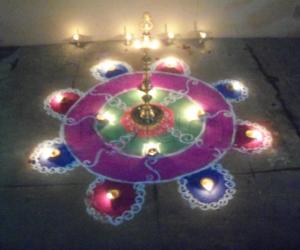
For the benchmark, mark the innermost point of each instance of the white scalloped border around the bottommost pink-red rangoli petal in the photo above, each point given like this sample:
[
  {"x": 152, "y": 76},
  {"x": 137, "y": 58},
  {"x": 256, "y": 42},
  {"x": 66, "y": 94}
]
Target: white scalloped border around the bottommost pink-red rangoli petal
[{"x": 127, "y": 215}]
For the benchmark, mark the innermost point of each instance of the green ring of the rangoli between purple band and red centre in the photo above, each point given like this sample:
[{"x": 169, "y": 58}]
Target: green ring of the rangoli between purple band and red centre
[{"x": 177, "y": 139}]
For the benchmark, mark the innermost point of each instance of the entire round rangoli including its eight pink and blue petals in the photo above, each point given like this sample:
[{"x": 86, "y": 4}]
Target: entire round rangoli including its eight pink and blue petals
[{"x": 103, "y": 131}]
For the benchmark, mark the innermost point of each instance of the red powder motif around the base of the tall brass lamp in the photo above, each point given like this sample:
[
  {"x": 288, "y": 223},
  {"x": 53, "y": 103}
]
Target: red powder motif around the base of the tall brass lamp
[{"x": 161, "y": 127}]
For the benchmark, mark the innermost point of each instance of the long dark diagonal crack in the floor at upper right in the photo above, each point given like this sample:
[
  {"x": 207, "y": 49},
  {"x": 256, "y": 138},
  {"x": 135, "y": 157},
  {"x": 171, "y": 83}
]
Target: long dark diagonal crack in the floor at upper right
[{"x": 273, "y": 80}]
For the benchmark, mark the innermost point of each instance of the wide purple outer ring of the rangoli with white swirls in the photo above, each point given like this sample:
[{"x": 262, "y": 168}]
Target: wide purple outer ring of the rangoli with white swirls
[{"x": 101, "y": 159}]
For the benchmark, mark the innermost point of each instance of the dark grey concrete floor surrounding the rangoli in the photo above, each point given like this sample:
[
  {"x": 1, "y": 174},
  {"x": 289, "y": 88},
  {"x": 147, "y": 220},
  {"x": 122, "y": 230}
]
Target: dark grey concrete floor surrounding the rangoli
[{"x": 47, "y": 212}]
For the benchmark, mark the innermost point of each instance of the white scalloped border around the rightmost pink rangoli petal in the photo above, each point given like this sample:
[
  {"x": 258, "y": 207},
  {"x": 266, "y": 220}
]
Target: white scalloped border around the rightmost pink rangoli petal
[{"x": 267, "y": 138}]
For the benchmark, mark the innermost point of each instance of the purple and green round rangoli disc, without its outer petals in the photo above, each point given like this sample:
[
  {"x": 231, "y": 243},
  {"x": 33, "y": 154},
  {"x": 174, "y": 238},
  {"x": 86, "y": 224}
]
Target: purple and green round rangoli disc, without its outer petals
[{"x": 186, "y": 145}]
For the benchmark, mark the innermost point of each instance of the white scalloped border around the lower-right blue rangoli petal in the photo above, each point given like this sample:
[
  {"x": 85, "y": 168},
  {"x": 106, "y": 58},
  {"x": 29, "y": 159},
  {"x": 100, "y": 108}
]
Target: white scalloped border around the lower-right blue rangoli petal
[{"x": 223, "y": 201}]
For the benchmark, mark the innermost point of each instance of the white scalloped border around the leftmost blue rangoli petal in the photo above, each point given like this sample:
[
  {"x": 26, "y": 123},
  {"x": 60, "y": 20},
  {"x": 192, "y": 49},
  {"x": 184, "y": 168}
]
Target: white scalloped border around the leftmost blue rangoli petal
[{"x": 46, "y": 170}]
